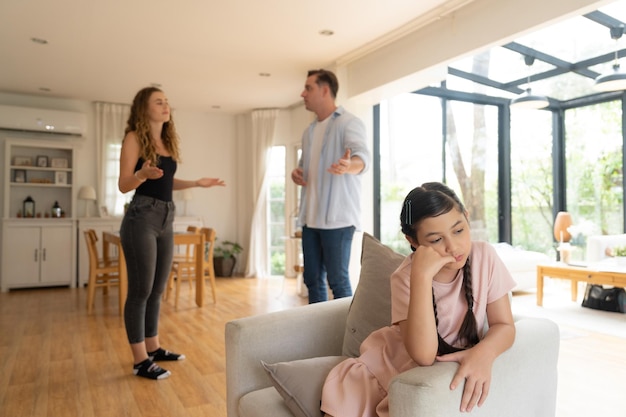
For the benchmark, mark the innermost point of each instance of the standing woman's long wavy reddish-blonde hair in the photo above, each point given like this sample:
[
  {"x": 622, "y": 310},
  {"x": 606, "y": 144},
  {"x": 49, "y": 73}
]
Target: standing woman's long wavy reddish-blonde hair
[{"x": 139, "y": 122}]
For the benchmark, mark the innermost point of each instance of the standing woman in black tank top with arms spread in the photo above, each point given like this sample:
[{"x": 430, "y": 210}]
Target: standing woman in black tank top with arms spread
[{"x": 148, "y": 161}]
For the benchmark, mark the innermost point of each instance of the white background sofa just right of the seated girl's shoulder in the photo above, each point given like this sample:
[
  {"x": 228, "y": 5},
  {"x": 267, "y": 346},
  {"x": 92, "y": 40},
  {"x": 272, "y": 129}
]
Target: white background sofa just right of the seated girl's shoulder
[{"x": 522, "y": 264}]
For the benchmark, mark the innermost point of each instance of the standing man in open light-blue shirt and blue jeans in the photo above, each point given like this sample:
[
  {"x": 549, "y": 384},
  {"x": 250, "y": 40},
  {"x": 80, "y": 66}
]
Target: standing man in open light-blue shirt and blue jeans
[{"x": 334, "y": 154}]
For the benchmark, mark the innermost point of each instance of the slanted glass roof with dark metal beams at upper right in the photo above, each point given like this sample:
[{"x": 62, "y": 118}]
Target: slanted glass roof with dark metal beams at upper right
[{"x": 558, "y": 46}]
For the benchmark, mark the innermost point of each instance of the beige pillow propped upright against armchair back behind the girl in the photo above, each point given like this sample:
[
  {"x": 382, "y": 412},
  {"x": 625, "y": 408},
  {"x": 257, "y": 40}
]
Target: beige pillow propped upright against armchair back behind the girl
[{"x": 371, "y": 305}]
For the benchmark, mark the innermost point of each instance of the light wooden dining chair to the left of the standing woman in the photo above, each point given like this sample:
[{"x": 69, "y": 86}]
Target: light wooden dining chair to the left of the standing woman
[{"x": 103, "y": 273}]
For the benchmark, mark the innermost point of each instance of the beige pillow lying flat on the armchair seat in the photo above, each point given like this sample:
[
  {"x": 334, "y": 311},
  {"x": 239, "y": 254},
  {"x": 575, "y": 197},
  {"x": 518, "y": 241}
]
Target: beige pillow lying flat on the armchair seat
[{"x": 300, "y": 382}]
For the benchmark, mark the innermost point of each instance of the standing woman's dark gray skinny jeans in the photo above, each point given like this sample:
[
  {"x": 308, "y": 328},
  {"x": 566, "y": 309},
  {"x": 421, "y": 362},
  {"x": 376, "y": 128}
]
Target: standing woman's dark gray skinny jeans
[{"x": 147, "y": 237}]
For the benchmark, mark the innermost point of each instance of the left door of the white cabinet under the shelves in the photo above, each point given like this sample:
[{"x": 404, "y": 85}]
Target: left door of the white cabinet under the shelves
[{"x": 20, "y": 258}]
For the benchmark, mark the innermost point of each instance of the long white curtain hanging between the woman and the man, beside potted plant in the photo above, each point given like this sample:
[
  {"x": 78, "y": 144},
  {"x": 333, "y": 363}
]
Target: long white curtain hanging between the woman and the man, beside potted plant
[{"x": 263, "y": 130}]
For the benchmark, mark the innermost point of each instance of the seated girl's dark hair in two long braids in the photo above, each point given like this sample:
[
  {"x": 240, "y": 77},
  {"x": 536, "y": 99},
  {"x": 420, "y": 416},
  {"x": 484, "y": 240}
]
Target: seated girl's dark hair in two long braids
[{"x": 433, "y": 199}]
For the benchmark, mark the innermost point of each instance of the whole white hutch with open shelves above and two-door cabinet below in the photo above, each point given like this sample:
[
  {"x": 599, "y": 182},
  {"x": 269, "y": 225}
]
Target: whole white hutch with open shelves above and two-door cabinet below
[{"x": 39, "y": 250}]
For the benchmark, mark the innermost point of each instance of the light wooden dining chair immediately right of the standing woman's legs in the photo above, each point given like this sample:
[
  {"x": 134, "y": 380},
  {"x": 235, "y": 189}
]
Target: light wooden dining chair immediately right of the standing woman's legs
[{"x": 184, "y": 268}]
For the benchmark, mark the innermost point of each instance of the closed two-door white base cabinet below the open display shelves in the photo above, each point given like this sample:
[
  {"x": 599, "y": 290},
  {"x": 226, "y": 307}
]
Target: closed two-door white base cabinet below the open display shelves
[{"x": 37, "y": 254}]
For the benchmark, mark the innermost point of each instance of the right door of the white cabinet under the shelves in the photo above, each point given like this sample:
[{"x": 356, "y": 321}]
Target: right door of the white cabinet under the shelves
[{"x": 56, "y": 259}]
